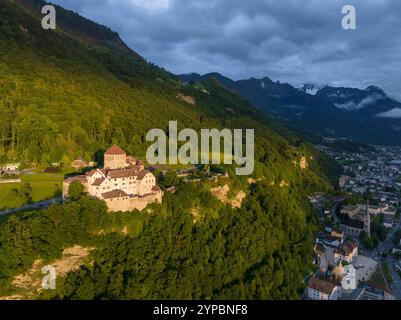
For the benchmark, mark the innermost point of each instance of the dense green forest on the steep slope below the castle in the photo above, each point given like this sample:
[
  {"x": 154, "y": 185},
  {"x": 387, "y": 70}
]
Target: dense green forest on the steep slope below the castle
[{"x": 261, "y": 251}]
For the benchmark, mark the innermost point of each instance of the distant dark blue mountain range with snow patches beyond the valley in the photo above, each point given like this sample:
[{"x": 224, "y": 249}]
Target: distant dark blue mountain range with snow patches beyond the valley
[{"x": 366, "y": 115}]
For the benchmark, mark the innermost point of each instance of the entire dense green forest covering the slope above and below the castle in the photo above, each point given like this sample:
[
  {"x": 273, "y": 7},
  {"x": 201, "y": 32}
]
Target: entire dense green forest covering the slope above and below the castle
[{"x": 77, "y": 90}]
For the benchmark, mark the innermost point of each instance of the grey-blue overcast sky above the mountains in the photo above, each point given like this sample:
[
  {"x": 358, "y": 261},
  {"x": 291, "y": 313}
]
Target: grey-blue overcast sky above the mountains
[{"x": 295, "y": 41}]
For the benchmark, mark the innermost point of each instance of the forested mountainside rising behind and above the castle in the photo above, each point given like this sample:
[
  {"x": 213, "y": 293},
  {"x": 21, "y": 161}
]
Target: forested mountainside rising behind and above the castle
[{"x": 62, "y": 96}]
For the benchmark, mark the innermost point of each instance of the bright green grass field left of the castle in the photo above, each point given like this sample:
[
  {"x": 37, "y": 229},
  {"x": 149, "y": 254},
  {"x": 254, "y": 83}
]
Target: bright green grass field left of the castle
[{"x": 44, "y": 186}]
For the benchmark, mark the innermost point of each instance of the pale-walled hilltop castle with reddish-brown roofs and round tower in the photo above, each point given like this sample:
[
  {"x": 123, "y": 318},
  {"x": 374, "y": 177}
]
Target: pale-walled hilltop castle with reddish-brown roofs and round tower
[{"x": 123, "y": 183}]
